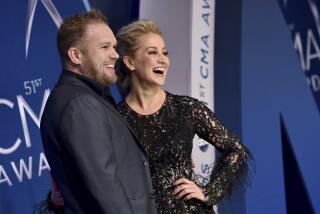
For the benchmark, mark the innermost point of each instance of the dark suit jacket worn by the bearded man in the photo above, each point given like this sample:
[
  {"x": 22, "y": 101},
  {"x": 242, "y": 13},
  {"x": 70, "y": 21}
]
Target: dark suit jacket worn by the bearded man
[{"x": 94, "y": 155}]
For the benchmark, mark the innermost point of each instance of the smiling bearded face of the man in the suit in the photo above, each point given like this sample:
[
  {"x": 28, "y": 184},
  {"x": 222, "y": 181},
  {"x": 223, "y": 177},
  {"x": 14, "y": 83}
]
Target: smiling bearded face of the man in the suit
[{"x": 98, "y": 54}]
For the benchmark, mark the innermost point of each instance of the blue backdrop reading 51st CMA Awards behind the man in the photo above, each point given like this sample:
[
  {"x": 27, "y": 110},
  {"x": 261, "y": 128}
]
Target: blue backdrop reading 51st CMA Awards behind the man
[{"x": 30, "y": 67}]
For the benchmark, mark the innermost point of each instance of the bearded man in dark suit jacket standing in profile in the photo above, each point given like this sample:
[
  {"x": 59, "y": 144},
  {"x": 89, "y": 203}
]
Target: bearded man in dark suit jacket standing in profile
[{"x": 95, "y": 157}]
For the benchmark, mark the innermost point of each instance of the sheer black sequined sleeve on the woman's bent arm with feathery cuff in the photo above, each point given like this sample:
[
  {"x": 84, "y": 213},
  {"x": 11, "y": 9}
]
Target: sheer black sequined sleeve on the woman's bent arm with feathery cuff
[{"x": 232, "y": 166}]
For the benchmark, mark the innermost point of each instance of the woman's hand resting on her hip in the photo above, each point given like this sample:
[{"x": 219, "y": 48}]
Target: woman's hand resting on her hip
[{"x": 186, "y": 189}]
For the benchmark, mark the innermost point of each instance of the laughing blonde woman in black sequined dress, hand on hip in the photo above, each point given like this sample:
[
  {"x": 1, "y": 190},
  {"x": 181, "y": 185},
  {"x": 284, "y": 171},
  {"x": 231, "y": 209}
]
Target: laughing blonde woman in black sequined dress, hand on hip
[{"x": 167, "y": 124}]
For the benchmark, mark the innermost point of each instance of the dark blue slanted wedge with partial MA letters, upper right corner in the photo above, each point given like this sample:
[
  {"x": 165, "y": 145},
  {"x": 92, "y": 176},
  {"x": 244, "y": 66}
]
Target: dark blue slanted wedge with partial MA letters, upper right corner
[{"x": 303, "y": 20}]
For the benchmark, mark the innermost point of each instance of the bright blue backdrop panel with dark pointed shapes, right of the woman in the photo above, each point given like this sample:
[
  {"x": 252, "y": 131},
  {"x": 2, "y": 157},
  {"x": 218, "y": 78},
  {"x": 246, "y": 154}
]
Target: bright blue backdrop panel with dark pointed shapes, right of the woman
[{"x": 280, "y": 104}]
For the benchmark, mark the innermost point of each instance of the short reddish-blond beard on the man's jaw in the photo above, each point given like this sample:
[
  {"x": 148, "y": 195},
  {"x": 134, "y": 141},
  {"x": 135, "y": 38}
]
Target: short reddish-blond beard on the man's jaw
[{"x": 92, "y": 72}]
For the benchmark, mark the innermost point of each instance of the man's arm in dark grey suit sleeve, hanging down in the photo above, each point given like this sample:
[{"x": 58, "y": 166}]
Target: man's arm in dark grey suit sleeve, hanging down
[{"x": 90, "y": 157}]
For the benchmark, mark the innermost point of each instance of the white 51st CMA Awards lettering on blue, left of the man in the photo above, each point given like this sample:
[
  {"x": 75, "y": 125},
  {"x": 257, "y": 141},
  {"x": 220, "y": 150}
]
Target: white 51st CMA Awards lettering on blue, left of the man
[{"x": 20, "y": 159}]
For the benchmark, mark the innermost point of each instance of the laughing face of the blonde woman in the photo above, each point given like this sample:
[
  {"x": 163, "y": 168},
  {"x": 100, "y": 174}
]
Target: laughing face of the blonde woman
[{"x": 151, "y": 61}]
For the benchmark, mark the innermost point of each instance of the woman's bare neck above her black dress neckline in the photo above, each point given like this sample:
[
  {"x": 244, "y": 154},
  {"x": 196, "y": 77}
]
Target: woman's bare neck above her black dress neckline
[{"x": 146, "y": 101}]
